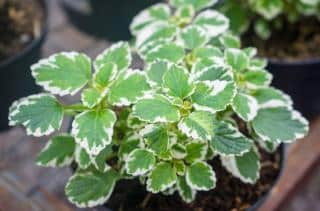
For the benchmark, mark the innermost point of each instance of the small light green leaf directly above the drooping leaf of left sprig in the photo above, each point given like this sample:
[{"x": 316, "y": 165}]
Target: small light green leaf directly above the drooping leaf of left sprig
[{"x": 90, "y": 97}]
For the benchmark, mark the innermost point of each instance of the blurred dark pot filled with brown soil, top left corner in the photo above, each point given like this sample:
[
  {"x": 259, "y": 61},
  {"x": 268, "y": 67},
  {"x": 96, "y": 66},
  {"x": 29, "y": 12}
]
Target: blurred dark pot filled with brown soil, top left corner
[{"x": 23, "y": 29}]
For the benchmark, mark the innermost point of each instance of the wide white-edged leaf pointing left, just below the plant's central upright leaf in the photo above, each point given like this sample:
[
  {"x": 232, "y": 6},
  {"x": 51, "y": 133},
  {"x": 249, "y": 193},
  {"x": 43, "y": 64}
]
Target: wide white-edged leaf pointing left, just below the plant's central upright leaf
[{"x": 156, "y": 108}]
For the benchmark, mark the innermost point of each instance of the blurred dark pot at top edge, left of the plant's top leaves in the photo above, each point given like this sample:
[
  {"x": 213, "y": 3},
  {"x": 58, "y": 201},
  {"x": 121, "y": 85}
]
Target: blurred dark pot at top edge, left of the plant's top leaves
[{"x": 105, "y": 19}]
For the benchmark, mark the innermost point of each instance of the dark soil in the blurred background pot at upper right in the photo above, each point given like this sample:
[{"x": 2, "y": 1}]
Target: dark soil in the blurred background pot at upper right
[{"x": 295, "y": 42}]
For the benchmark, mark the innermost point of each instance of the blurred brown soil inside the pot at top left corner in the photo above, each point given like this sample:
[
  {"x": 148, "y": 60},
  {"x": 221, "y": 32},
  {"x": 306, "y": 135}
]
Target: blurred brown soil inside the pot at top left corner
[{"x": 21, "y": 22}]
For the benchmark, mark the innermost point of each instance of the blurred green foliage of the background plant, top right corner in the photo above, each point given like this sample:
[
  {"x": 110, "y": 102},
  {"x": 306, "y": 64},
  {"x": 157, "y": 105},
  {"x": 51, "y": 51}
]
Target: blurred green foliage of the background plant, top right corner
[{"x": 267, "y": 16}]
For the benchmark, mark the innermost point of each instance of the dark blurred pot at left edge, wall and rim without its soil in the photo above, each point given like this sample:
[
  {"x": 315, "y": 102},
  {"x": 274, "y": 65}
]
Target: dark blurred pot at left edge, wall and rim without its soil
[{"x": 16, "y": 80}]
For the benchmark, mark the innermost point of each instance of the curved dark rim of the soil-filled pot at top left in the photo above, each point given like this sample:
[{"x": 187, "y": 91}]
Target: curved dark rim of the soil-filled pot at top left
[{"x": 34, "y": 42}]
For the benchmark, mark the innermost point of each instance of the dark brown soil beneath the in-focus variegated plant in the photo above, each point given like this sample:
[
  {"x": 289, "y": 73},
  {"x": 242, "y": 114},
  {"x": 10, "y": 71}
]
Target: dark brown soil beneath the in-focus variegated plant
[{"x": 230, "y": 193}]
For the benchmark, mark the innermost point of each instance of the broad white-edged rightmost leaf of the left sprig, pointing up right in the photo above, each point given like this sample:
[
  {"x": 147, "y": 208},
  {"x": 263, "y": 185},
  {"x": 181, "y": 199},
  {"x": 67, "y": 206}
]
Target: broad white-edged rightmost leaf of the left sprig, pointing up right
[{"x": 130, "y": 86}]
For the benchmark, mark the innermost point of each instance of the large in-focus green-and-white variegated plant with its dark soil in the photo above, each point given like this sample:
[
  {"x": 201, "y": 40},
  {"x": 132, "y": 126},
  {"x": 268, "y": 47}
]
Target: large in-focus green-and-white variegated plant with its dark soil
[{"x": 188, "y": 132}]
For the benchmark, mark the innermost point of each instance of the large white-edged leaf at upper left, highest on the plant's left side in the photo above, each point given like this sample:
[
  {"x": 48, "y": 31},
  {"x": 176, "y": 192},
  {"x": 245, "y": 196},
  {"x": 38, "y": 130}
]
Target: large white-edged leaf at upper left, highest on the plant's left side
[{"x": 63, "y": 73}]
